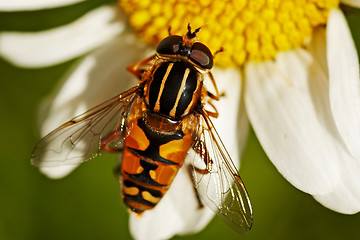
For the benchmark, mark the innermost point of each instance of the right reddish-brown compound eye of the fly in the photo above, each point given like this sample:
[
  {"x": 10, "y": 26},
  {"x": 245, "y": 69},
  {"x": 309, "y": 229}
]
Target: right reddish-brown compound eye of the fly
[{"x": 201, "y": 55}]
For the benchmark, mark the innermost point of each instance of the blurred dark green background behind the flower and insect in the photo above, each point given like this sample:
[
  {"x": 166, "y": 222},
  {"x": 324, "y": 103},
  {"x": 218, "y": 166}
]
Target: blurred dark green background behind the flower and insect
[{"x": 87, "y": 204}]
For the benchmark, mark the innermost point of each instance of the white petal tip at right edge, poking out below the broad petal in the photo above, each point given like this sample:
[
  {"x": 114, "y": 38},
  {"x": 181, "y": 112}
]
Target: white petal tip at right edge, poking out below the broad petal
[{"x": 345, "y": 198}]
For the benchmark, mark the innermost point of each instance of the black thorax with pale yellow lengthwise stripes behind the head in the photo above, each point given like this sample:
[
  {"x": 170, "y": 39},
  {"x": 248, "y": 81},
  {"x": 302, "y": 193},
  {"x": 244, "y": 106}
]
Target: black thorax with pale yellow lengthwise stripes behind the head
[{"x": 174, "y": 90}]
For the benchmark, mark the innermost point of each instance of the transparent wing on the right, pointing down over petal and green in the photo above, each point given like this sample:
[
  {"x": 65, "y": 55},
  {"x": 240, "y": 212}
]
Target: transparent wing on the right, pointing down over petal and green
[{"x": 217, "y": 181}]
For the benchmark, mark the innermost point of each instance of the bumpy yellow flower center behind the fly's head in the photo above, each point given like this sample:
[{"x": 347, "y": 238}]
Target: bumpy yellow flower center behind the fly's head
[{"x": 247, "y": 30}]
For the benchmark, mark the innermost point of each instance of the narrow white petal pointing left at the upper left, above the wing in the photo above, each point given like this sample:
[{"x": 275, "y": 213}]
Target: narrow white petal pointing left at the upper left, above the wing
[{"x": 63, "y": 43}]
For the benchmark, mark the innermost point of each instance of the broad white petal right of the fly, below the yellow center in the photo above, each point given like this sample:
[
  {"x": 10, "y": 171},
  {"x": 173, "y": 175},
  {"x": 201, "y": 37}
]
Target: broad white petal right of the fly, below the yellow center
[{"x": 288, "y": 107}]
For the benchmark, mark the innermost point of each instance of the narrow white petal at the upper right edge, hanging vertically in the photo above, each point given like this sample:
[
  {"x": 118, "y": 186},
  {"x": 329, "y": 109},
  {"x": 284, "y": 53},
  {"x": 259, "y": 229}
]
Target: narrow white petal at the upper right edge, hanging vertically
[{"x": 344, "y": 80}]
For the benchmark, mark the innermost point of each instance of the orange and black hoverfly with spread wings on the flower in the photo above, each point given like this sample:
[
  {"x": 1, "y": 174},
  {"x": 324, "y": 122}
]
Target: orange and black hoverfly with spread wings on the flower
[{"x": 154, "y": 125}]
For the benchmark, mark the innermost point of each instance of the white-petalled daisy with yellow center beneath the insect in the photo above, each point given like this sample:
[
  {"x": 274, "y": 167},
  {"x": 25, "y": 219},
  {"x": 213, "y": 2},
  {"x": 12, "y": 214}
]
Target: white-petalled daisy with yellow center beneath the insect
[{"x": 290, "y": 68}]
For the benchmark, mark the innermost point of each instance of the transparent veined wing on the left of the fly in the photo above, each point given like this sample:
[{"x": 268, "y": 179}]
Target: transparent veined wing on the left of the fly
[{"x": 82, "y": 138}]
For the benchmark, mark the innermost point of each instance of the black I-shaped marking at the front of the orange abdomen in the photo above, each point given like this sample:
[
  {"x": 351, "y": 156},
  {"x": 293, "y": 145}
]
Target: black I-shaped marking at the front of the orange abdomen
[{"x": 156, "y": 139}]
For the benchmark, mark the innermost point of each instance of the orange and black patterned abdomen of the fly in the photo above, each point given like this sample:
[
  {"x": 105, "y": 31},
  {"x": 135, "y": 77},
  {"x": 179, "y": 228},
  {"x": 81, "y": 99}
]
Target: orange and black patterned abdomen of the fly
[{"x": 151, "y": 159}]
